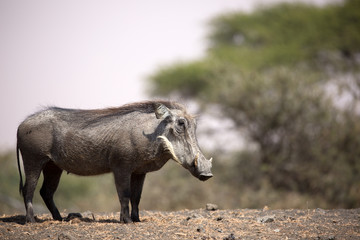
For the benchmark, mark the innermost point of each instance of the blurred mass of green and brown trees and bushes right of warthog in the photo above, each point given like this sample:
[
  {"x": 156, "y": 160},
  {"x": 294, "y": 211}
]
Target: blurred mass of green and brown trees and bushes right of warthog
[{"x": 281, "y": 74}]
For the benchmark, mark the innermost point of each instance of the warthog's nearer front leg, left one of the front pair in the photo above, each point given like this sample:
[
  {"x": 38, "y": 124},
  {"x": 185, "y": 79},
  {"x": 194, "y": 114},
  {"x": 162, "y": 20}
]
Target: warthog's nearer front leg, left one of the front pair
[{"x": 122, "y": 182}]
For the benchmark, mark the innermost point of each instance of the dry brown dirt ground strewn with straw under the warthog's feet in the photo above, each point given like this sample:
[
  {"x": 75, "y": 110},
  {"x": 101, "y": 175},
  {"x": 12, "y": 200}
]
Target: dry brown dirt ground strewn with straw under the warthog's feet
[{"x": 192, "y": 224}]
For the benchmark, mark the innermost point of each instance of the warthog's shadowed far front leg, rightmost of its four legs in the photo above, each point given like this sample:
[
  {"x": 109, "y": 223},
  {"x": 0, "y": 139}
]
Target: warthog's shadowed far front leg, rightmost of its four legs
[{"x": 137, "y": 182}]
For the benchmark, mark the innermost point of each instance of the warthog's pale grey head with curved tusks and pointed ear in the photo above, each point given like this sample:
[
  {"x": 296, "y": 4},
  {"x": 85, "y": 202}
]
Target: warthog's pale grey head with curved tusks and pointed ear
[{"x": 179, "y": 140}]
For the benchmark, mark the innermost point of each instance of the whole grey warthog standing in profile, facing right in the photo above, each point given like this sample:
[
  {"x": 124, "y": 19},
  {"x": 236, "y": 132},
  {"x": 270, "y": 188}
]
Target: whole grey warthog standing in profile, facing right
[{"x": 128, "y": 141}]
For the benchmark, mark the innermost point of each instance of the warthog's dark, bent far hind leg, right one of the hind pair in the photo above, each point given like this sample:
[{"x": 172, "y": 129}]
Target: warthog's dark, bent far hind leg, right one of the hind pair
[{"x": 52, "y": 175}]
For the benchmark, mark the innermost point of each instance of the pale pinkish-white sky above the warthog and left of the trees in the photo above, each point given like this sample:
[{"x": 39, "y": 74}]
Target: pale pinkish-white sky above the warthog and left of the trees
[{"x": 94, "y": 54}]
